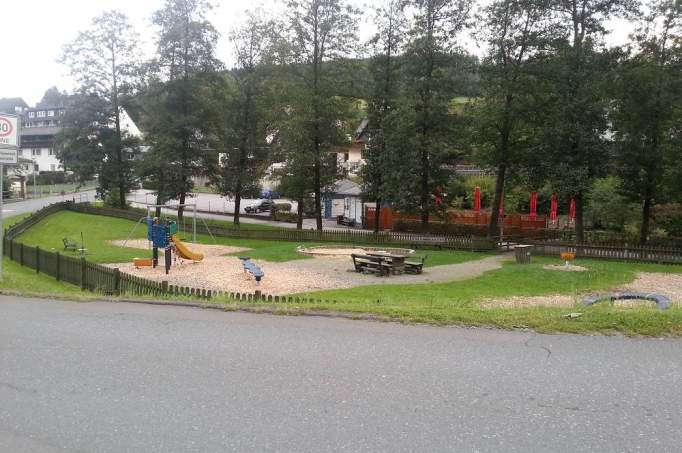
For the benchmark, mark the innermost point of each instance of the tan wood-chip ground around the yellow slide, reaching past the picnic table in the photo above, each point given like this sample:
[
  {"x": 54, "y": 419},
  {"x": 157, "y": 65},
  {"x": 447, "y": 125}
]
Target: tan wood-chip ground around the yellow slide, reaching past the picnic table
[{"x": 226, "y": 273}]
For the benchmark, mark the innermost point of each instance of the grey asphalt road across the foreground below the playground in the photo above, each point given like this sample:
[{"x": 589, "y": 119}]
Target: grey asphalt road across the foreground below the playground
[{"x": 104, "y": 377}]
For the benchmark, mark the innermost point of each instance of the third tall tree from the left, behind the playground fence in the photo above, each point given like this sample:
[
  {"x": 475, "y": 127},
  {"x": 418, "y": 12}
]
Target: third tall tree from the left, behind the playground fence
[{"x": 242, "y": 123}]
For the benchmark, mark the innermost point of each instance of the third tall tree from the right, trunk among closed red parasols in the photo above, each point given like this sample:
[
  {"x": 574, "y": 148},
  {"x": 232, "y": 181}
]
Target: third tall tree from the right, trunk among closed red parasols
[{"x": 517, "y": 31}]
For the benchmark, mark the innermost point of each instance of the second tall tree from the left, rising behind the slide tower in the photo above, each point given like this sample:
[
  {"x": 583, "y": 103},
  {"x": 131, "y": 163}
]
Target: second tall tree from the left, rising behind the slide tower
[{"x": 173, "y": 104}]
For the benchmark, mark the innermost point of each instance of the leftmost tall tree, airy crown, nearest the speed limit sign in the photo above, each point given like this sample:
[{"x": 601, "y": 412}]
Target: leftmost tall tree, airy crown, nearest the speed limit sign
[{"x": 102, "y": 60}]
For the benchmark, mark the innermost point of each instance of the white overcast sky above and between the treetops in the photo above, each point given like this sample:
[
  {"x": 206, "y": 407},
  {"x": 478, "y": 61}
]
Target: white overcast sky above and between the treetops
[{"x": 34, "y": 32}]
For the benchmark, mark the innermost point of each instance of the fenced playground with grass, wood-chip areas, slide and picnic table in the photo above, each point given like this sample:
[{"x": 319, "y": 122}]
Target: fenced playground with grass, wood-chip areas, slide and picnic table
[{"x": 454, "y": 287}]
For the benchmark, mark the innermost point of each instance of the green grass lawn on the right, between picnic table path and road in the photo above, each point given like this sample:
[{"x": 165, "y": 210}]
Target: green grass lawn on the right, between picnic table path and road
[{"x": 458, "y": 302}]
